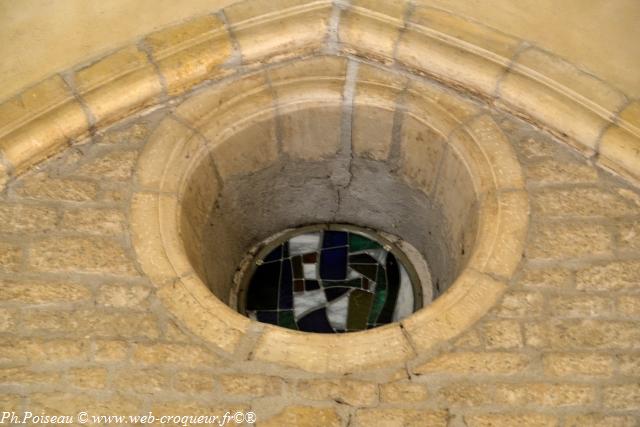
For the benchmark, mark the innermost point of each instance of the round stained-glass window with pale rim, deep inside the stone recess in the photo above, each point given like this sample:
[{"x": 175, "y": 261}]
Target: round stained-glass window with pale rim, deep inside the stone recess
[{"x": 330, "y": 279}]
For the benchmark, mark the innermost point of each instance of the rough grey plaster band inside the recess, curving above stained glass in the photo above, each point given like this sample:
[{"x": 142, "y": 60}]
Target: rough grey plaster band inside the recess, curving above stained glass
[{"x": 293, "y": 193}]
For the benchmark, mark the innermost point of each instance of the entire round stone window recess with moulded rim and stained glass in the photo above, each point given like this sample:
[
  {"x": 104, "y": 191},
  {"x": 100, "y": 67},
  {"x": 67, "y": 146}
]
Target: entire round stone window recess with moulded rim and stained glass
[{"x": 240, "y": 216}]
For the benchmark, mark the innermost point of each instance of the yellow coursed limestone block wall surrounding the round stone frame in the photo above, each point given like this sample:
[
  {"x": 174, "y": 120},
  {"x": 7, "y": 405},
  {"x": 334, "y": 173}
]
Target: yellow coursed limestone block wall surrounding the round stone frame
[{"x": 84, "y": 328}]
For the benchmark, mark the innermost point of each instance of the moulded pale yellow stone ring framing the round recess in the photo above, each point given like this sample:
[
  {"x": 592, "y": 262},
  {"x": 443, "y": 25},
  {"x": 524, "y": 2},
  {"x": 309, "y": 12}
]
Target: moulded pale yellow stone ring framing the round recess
[{"x": 211, "y": 114}]
